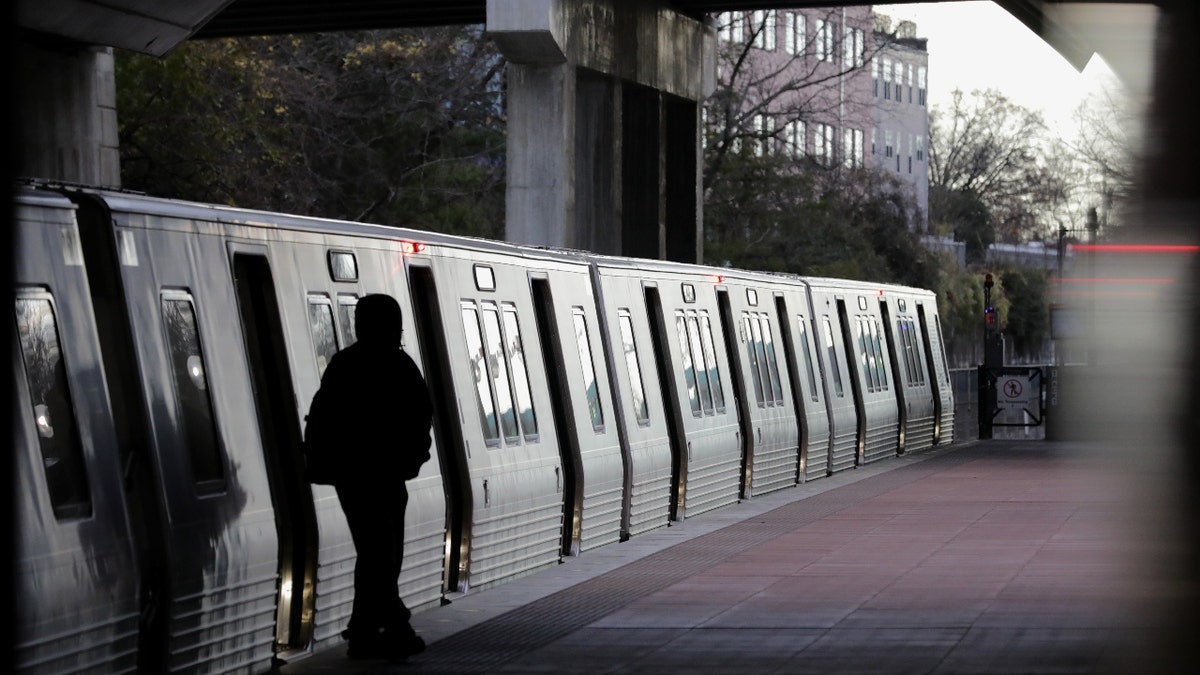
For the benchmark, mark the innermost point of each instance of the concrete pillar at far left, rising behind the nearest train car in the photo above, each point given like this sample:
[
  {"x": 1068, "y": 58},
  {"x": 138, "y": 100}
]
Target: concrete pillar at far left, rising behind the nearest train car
[{"x": 68, "y": 114}]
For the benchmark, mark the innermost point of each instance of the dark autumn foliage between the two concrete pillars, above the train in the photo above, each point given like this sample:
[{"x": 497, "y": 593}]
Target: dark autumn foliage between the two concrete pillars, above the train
[{"x": 395, "y": 127}]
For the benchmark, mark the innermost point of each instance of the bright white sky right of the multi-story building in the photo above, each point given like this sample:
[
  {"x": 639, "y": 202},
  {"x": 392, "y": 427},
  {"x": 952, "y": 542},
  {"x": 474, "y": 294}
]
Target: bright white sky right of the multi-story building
[{"x": 977, "y": 45}]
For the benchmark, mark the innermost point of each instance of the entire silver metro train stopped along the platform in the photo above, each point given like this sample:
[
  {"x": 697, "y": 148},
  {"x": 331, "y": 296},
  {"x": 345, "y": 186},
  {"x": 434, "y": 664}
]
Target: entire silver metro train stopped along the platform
[{"x": 166, "y": 355}]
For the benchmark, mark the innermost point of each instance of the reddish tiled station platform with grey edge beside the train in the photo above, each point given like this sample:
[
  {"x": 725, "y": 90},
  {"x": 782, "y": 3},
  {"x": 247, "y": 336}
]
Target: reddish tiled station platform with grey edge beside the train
[{"x": 987, "y": 557}]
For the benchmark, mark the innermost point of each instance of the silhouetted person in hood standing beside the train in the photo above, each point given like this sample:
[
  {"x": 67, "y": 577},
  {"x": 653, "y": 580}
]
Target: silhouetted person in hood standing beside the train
[{"x": 373, "y": 417}]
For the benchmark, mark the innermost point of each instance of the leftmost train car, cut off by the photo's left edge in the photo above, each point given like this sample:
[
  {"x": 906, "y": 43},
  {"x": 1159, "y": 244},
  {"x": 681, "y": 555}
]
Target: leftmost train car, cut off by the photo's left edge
[{"x": 77, "y": 606}]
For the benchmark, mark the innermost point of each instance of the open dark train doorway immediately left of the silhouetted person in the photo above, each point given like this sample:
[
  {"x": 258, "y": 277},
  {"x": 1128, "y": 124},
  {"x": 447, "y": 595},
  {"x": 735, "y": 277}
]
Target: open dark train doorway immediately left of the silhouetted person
[{"x": 275, "y": 398}]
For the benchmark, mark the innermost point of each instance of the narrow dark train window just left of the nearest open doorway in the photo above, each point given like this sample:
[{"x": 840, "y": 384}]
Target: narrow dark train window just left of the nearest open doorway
[{"x": 193, "y": 391}]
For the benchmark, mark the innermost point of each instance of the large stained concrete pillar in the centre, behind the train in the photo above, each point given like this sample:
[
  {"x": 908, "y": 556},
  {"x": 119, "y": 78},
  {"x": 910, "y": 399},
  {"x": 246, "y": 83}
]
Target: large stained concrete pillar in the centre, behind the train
[{"x": 604, "y": 134}]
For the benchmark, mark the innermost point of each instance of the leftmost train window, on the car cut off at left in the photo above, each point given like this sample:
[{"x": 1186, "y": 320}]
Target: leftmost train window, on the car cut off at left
[{"x": 55, "y": 417}]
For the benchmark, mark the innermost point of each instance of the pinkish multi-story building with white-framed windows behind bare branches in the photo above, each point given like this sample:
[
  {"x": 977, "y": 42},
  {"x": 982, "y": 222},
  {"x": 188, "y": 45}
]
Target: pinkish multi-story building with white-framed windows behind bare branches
[{"x": 832, "y": 86}]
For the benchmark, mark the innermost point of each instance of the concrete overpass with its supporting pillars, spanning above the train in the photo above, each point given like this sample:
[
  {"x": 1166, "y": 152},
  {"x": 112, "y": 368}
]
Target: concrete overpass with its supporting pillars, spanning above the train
[{"x": 604, "y": 99}]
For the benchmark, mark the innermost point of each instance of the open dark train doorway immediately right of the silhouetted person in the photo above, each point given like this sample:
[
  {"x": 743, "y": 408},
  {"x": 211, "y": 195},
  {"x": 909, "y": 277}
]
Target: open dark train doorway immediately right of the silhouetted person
[{"x": 447, "y": 425}]
